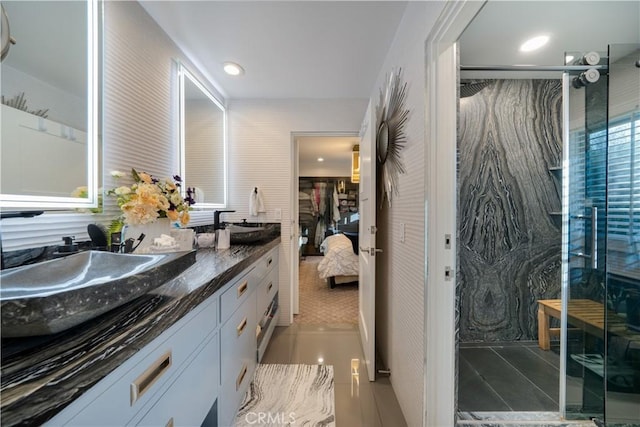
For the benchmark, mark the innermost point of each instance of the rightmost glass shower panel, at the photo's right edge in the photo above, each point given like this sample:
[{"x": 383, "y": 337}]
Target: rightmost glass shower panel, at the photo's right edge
[{"x": 622, "y": 275}]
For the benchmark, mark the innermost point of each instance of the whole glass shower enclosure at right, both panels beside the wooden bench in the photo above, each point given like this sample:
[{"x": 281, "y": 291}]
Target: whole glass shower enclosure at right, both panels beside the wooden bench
[{"x": 600, "y": 305}]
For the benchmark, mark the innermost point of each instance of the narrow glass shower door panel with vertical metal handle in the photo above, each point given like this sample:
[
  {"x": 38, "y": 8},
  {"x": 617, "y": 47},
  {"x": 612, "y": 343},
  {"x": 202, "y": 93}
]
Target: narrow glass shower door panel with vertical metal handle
[{"x": 584, "y": 245}]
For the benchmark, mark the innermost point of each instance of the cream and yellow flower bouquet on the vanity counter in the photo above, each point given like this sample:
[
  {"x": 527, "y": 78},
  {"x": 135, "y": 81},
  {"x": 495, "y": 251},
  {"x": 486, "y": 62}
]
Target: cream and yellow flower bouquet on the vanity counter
[{"x": 148, "y": 199}]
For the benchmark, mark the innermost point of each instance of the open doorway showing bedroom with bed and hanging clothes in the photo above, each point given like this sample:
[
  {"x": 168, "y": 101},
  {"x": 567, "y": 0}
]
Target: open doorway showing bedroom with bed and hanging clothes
[{"x": 327, "y": 218}]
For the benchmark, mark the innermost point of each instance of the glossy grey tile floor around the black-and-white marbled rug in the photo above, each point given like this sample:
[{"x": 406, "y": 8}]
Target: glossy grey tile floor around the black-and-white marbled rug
[{"x": 357, "y": 401}]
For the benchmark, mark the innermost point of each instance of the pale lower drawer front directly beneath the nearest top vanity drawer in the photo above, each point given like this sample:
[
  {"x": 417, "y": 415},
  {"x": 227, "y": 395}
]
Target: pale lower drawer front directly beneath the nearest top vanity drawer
[{"x": 190, "y": 397}]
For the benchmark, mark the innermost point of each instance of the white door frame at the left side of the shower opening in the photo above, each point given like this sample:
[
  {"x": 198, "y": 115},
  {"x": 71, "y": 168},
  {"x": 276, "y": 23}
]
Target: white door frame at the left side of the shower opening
[{"x": 440, "y": 339}]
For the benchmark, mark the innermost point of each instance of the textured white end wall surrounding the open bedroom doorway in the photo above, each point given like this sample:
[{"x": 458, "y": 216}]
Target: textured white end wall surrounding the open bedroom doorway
[{"x": 260, "y": 155}]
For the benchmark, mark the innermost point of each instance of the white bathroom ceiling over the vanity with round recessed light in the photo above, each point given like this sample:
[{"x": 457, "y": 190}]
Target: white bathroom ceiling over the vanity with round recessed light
[{"x": 289, "y": 49}]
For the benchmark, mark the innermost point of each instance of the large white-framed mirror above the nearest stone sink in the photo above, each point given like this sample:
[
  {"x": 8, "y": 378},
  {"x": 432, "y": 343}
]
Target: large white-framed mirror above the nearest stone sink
[{"x": 48, "y": 143}]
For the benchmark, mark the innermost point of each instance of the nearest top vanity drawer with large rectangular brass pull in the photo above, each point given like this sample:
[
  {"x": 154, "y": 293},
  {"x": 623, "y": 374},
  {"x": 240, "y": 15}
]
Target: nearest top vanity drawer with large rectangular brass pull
[{"x": 139, "y": 380}]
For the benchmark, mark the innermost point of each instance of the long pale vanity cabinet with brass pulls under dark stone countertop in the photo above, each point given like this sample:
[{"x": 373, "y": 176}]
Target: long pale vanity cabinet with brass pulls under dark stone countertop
[{"x": 200, "y": 366}]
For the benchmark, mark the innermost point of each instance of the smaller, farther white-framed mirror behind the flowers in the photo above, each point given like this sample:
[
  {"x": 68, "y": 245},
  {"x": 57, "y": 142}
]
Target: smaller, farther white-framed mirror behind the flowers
[{"x": 203, "y": 142}]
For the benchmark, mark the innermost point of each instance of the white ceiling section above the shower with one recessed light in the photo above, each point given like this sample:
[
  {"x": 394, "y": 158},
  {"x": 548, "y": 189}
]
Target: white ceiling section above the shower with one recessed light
[{"x": 494, "y": 39}]
